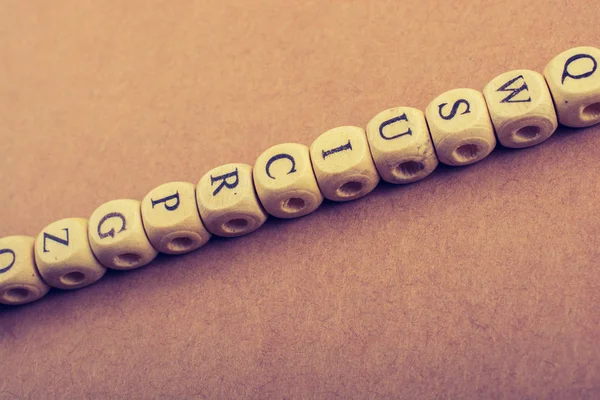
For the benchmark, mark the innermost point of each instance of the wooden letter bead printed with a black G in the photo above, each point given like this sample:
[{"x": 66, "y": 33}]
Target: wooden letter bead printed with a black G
[{"x": 117, "y": 235}]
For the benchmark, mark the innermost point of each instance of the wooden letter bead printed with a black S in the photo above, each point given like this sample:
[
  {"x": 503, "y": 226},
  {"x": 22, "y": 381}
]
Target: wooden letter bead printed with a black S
[{"x": 460, "y": 127}]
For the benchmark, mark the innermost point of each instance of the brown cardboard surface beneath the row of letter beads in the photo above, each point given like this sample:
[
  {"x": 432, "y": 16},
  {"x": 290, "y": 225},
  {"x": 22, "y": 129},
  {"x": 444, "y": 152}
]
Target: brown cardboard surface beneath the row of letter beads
[{"x": 478, "y": 282}]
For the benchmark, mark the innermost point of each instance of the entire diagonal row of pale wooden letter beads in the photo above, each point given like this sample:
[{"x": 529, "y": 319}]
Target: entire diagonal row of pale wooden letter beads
[{"x": 400, "y": 145}]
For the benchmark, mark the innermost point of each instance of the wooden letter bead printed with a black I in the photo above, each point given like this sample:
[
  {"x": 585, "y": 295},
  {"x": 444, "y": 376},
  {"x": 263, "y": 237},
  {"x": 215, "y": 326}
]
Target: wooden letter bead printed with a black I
[{"x": 343, "y": 164}]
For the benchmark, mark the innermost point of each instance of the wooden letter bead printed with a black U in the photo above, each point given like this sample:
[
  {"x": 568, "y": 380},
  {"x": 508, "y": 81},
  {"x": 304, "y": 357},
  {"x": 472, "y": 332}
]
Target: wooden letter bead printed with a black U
[{"x": 401, "y": 145}]
